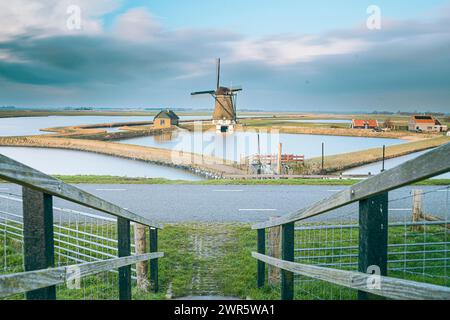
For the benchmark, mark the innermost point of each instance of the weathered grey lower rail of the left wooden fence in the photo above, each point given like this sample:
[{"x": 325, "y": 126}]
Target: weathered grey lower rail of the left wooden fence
[{"x": 28, "y": 281}]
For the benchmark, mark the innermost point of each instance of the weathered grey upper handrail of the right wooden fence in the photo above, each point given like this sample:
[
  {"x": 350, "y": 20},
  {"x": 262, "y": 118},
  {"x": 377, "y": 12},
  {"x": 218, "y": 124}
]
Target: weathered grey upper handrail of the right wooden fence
[{"x": 425, "y": 166}]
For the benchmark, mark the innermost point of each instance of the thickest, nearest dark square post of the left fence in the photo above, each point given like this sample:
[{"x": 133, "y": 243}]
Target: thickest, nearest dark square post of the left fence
[{"x": 38, "y": 238}]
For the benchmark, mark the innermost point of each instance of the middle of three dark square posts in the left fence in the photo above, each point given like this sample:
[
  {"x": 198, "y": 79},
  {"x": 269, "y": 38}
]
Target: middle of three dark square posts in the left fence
[{"x": 124, "y": 248}]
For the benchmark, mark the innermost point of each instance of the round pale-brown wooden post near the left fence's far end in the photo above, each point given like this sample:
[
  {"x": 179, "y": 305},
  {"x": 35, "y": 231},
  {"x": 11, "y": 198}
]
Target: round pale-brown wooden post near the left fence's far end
[{"x": 140, "y": 243}]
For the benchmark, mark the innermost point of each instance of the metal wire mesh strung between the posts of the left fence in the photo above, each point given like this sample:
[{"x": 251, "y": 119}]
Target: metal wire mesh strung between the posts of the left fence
[{"x": 79, "y": 237}]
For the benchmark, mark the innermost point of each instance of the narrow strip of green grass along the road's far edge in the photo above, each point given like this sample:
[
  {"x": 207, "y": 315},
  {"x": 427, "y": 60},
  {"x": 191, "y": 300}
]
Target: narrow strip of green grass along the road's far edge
[{"x": 124, "y": 180}]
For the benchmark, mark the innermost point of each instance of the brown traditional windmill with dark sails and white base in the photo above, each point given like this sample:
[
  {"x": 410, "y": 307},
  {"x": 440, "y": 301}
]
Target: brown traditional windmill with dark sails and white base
[{"x": 224, "y": 115}]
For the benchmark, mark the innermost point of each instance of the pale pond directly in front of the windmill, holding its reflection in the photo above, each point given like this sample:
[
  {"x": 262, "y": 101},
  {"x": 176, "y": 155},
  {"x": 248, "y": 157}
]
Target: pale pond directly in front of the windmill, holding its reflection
[{"x": 235, "y": 146}]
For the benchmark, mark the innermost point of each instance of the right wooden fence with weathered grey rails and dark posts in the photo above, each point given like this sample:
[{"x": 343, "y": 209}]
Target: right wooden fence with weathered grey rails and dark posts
[{"x": 372, "y": 195}]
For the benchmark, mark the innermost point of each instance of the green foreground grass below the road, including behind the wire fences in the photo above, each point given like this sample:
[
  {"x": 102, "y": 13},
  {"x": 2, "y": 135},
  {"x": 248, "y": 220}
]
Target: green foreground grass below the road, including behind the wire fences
[{"x": 221, "y": 253}]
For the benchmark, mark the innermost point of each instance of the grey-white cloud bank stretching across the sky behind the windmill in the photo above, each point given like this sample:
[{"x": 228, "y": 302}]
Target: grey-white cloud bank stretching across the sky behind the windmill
[{"x": 138, "y": 61}]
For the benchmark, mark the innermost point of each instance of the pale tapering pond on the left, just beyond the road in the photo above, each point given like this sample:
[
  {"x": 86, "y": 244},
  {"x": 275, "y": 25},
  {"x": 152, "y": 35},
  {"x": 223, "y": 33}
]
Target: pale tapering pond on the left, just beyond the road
[{"x": 70, "y": 162}]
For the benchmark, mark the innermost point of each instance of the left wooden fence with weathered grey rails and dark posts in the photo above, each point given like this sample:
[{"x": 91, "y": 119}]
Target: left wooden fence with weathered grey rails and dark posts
[{"x": 41, "y": 277}]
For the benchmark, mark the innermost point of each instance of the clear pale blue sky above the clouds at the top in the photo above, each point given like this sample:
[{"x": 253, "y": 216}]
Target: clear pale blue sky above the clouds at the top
[{"x": 259, "y": 17}]
